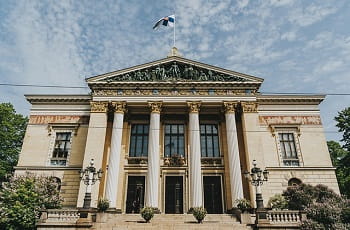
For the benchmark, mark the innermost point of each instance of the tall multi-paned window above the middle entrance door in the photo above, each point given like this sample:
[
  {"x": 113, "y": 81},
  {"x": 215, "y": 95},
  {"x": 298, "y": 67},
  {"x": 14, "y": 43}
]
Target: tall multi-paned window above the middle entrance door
[{"x": 174, "y": 140}]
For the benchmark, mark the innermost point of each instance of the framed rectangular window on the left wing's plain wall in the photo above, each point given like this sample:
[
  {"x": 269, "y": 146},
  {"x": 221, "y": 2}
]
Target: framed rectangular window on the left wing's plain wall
[{"x": 61, "y": 148}]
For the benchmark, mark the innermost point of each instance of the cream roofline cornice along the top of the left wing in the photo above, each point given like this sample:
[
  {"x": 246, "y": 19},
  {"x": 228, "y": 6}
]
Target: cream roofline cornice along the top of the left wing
[{"x": 54, "y": 98}]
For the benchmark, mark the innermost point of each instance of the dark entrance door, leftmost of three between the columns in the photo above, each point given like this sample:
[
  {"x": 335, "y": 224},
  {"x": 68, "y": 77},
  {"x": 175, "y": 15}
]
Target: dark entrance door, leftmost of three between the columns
[{"x": 135, "y": 194}]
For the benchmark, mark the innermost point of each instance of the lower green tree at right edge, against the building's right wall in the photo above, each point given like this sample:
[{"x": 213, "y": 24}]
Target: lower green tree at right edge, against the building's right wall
[{"x": 341, "y": 160}]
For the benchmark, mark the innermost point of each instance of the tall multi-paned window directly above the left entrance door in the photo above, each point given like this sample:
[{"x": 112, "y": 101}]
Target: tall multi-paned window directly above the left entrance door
[{"x": 139, "y": 140}]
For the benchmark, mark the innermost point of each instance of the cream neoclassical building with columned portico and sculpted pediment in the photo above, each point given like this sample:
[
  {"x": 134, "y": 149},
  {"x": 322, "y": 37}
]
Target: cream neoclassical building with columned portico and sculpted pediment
[{"x": 174, "y": 134}]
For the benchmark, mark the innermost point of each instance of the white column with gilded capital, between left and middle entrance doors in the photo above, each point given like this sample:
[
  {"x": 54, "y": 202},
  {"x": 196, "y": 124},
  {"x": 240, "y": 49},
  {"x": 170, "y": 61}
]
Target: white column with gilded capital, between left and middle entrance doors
[{"x": 152, "y": 180}]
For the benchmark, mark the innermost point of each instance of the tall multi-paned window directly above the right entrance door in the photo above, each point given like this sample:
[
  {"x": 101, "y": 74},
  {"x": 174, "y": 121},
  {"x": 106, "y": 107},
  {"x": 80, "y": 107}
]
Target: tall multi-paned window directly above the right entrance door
[{"x": 209, "y": 140}]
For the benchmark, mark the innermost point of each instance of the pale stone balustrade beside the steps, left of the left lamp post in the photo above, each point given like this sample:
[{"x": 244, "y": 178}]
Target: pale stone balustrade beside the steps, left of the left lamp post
[{"x": 59, "y": 215}]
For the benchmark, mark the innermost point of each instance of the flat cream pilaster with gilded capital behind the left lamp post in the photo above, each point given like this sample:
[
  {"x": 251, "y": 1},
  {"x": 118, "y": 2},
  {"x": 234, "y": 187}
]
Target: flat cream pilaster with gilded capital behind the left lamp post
[{"x": 94, "y": 148}]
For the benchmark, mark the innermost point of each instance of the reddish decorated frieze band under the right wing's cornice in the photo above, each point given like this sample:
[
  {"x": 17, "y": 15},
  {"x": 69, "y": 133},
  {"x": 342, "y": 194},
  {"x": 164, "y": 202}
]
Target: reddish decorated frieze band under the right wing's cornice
[{"x": 304, "y": 120}]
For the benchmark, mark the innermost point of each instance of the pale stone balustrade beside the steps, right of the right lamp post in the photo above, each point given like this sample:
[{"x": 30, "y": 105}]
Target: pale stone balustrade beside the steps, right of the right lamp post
[{"x": 285, "y": 216}]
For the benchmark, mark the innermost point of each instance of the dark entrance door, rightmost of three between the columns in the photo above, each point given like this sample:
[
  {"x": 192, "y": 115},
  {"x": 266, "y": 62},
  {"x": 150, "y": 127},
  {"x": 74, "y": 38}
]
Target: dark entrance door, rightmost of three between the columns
[{"x": 212, "y": 194}]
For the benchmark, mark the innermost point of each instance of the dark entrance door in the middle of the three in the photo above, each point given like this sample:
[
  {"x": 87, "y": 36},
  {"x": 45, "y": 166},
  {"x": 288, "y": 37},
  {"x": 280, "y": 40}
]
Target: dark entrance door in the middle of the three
[{"x": 174, "y": 194}]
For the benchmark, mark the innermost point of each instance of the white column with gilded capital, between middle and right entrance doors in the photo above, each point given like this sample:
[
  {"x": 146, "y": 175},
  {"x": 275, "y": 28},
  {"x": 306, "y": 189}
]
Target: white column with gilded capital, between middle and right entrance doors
[{"x": 196, "y": 184}]
